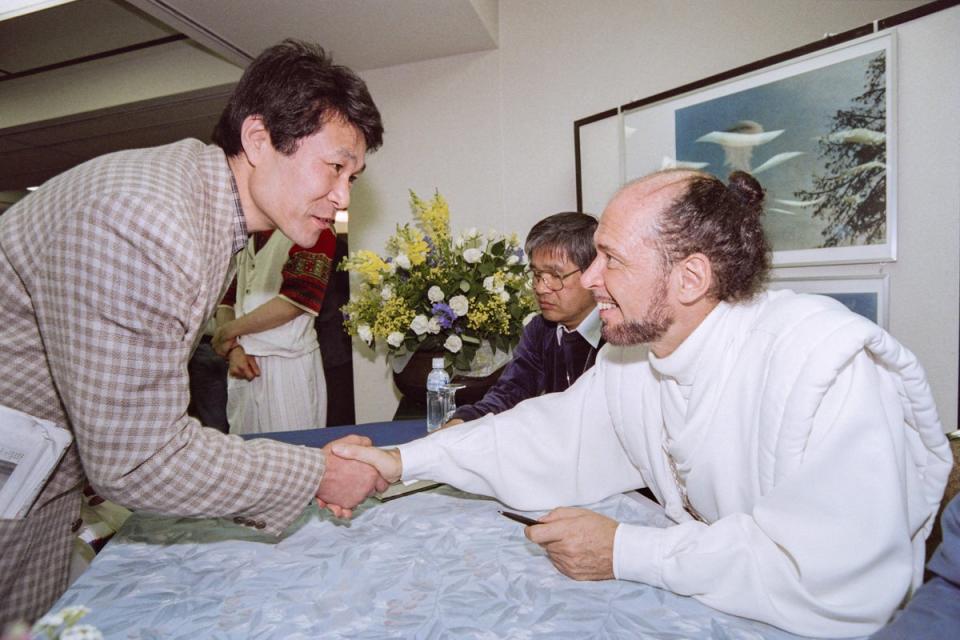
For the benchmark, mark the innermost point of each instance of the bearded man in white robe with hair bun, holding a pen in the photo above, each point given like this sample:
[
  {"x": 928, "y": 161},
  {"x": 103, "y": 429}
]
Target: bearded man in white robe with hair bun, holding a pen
[{"x": 795, "y": 444}]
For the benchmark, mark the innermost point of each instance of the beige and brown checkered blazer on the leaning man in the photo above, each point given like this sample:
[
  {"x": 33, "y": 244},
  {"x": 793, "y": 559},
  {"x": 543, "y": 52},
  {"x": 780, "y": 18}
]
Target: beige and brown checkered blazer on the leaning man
[{"x": 107, "y": 275}]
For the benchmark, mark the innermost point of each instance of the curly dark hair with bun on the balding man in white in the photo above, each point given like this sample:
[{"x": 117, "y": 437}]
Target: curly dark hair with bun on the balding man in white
[{"x": 723, "y": 223}]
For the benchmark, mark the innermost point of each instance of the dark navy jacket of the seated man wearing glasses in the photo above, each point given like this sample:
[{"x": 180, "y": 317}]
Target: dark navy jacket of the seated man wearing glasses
[{"x": 539, "y": 365}]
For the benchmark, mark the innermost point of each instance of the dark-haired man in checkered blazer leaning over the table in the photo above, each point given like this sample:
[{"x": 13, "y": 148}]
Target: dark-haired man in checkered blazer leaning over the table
[{"x": 109, "y": 273}]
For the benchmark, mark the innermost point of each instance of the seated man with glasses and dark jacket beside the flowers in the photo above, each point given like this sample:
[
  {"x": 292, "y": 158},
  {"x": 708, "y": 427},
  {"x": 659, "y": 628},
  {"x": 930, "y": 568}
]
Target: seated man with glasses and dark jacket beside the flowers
[{"x": 561, "y": 343}]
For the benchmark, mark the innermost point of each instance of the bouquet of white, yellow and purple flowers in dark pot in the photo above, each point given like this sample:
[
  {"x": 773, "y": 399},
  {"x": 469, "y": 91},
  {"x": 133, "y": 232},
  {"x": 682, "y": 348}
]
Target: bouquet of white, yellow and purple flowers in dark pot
[{"x": 433, "y": 291}]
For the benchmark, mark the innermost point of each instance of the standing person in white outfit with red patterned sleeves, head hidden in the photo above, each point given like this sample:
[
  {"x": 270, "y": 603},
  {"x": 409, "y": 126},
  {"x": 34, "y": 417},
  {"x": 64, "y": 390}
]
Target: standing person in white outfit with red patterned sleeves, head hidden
[{"x": 276, "y": 370}]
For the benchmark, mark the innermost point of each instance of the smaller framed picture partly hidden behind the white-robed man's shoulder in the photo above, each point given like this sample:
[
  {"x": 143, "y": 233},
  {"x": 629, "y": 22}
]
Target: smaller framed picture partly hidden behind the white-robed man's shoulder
[{"x": 866, "y": 295}]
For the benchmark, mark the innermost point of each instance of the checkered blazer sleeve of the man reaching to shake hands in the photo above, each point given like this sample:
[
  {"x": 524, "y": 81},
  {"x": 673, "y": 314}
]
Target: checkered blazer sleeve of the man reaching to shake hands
[{"x": 118, "y": 303}]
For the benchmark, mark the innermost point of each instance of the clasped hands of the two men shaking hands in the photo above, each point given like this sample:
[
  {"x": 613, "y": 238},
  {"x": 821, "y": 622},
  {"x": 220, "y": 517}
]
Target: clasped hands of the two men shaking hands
[{"x": 353, "y": 472}]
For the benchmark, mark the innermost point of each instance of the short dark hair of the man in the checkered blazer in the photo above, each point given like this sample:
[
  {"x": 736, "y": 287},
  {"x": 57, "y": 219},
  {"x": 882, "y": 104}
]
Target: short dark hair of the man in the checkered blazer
[{"x": 295, "y": 87}]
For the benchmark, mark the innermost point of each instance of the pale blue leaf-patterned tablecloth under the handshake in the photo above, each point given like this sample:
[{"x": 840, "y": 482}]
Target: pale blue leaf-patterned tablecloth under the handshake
[{"x": 440, "y": 564}]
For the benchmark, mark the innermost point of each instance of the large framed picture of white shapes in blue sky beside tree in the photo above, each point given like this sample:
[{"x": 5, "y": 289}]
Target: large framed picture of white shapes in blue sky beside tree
[{"x": 818, "y": 132}]
